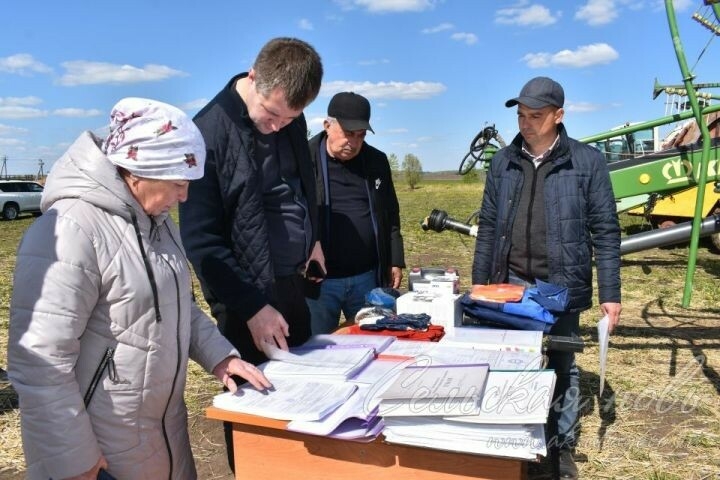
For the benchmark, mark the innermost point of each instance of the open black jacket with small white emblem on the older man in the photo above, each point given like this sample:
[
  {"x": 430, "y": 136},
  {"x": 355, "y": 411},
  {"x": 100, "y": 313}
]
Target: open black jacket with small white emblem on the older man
[{"x": 384, "y": 206}]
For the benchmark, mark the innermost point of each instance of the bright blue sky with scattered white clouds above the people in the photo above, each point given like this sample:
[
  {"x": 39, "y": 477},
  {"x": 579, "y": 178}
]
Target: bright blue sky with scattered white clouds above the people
[{"x": 436, "y": 71}]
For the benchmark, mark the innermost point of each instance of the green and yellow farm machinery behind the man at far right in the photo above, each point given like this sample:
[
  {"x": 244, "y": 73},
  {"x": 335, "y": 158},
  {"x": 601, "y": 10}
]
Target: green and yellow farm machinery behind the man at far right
[{"x": 674, "y": 182}]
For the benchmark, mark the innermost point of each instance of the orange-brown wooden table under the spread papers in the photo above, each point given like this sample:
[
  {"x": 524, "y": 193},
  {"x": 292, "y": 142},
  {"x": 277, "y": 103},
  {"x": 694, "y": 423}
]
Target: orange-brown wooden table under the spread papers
[{"x": 264, "y": 449}]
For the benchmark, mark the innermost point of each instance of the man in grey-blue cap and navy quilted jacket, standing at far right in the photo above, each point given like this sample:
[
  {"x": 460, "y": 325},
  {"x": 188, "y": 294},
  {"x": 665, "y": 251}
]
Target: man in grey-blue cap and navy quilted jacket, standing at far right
[{"x": 547, "y": 208}]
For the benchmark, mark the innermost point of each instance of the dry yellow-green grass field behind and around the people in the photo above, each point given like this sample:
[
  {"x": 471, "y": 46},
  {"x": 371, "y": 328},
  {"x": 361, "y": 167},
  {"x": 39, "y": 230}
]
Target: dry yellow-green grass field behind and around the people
[{"x": 659, "y": 417}]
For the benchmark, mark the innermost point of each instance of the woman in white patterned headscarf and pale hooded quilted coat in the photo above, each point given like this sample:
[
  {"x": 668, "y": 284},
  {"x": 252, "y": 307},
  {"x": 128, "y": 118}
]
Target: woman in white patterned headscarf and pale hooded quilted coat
[{"x": 102, "y": 316}]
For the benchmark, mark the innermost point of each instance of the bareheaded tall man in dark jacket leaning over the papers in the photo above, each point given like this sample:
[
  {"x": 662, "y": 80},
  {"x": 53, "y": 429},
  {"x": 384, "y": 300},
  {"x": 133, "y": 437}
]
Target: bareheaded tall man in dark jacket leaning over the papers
[{"x": 250, "y": 225}]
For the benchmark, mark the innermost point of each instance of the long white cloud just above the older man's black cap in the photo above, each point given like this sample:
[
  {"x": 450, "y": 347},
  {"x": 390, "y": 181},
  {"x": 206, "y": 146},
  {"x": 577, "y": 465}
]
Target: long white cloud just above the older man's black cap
[{"x": 386, "y": 90}]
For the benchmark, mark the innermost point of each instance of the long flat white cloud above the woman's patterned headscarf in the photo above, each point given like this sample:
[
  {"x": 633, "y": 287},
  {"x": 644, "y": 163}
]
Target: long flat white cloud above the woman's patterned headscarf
[{"x": 81, "y": 72}]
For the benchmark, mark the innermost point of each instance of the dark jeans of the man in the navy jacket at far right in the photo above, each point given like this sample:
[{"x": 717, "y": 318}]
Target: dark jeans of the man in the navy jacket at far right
[{"x": 566, "y": 399}]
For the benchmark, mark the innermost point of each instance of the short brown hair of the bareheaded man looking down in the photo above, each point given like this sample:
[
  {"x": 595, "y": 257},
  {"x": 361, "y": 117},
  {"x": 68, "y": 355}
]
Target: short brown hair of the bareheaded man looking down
[{"x": 291, "y": 65}]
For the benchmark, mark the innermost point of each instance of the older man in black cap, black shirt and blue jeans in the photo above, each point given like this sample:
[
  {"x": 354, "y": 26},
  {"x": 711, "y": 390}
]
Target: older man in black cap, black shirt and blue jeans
[{"x": 359, "y": 214}]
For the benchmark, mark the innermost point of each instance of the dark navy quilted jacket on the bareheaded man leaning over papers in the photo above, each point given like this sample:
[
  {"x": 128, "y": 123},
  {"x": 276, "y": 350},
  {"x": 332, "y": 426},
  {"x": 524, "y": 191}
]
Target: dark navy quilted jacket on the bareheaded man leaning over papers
[{"x": 223, "y": 224}]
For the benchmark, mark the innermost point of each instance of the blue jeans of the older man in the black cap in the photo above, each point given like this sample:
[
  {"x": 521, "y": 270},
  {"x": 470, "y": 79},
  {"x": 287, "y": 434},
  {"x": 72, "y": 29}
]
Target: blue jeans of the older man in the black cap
[{"x": 346, "y": 295}]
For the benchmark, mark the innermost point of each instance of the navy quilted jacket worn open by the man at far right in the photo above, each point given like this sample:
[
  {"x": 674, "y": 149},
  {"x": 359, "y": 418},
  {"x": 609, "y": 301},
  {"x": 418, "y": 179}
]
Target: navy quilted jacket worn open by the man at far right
[{"x": 580, "y": 220}]
